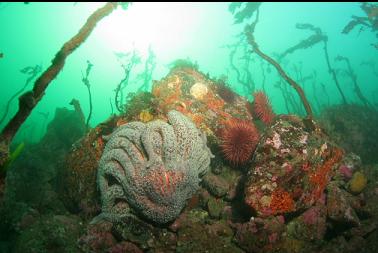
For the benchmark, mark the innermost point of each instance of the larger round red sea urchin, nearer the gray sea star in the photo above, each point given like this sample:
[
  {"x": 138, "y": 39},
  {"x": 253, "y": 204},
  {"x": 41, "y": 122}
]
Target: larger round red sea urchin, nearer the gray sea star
[{"x": 239, "y": 140}]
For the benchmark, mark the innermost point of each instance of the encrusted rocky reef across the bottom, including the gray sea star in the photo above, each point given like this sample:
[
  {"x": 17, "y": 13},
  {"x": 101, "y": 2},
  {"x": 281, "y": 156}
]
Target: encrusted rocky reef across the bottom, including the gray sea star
[{"x": 297, "y": 188}]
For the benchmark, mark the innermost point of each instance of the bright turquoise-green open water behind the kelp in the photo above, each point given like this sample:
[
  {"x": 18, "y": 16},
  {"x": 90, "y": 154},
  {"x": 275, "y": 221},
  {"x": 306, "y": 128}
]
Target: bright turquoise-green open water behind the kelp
[{"x": 198, "y": 31}]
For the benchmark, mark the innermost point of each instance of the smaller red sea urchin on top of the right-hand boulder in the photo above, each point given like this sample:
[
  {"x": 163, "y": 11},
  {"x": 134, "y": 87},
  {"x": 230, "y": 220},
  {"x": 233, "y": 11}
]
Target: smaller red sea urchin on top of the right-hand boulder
[{"x": 262, "y": 107}]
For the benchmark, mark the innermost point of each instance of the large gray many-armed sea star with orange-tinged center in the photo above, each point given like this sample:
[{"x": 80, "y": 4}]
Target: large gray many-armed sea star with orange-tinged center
[{"x": 153, "y": 167}]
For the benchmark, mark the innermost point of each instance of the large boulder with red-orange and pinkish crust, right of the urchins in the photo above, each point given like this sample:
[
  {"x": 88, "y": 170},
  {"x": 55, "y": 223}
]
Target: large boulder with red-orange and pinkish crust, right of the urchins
[{"x": 291, "y": 168}]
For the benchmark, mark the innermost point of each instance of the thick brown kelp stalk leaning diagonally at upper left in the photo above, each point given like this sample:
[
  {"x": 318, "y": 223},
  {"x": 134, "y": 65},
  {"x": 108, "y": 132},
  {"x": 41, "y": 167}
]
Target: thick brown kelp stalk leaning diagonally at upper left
[{"x": 30, "y": 99}]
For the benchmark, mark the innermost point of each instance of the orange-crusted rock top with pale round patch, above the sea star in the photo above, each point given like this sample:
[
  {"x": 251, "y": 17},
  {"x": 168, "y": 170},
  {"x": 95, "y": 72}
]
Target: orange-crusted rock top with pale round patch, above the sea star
[{"x": 197, "y": 96}]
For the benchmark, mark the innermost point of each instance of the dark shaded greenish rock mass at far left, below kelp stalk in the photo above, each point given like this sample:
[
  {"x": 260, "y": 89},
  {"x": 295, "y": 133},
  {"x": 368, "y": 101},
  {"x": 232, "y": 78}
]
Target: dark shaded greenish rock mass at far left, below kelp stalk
[{"x": 33, "y": 217}]
